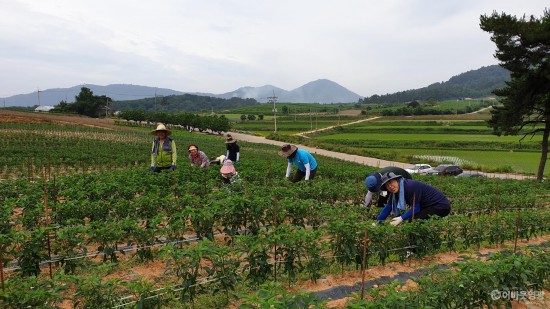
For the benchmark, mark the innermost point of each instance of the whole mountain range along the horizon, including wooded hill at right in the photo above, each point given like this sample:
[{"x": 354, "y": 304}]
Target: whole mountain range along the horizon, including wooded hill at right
[{"x": 476, "y": 83}]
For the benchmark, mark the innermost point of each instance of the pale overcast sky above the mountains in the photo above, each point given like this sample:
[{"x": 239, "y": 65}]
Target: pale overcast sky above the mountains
[{"x": 216, "y": 46}]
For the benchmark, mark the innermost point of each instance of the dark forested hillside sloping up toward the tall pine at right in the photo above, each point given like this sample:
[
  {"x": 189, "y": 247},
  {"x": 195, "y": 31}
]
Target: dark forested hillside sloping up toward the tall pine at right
[{"x": 473, "y": 84}]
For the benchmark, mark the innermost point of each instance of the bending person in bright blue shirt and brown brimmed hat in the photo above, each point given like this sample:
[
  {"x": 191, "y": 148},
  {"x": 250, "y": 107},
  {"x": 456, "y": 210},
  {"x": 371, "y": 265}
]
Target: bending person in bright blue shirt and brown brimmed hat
[{"x": 305, "y": 163}]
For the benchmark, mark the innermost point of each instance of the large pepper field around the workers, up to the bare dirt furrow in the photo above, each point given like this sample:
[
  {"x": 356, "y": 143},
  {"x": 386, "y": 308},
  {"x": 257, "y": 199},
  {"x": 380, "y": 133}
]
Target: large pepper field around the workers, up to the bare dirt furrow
[{"x": 69, "y": 238}]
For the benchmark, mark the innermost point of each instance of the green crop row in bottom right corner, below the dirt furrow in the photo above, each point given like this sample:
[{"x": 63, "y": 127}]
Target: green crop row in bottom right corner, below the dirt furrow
[{"x": 474, "y": 284}]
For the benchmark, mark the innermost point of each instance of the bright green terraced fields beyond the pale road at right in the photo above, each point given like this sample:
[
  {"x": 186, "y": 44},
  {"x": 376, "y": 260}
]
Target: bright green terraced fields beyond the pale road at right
[{"x": 469, "y": 143}]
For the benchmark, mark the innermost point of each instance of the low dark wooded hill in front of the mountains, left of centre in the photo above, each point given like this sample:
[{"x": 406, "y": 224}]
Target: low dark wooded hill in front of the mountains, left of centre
[{"x": 186, "y": 102}]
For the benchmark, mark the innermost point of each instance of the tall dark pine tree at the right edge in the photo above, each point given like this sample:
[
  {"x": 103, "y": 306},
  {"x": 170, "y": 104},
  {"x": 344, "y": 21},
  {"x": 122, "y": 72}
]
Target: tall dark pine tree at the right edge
[{"x": 523, "y": 48}]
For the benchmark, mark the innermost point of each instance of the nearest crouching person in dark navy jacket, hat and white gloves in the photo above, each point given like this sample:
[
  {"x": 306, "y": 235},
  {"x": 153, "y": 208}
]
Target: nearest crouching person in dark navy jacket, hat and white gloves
[{"x": 424, "y": 200}]
